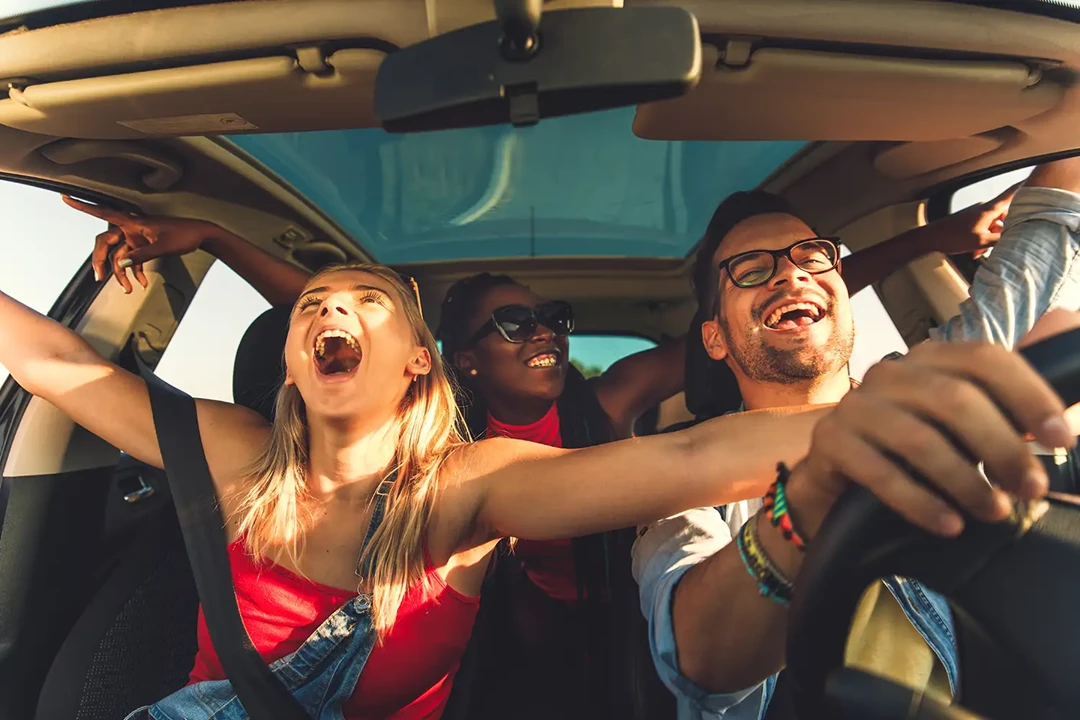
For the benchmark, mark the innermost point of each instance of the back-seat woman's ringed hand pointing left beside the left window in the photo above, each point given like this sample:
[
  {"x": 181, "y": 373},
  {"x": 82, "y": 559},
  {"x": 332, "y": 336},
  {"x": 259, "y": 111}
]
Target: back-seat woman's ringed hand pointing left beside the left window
[{"x": 140, "y": 240}]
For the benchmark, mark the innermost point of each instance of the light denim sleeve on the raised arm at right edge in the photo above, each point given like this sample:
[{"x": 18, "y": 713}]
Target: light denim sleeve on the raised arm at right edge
[{"x": 1034, "y": 268}]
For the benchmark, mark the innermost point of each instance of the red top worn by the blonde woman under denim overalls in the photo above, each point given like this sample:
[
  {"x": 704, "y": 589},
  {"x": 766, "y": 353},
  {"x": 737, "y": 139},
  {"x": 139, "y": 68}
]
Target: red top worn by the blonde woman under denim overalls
[{"x": 408, "y": 676}]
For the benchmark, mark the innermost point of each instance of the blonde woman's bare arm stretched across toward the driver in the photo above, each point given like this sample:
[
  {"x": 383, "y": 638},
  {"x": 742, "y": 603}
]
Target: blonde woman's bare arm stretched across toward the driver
[{"x": 528, "y": 491}]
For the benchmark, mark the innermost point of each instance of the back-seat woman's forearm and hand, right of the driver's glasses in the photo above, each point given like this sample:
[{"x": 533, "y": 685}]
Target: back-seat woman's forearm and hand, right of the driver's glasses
[{"x": 971, "y": 230}]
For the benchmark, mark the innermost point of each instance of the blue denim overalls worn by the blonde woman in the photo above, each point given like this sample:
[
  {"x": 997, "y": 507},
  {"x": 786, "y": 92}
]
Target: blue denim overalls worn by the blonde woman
[{"x": 321, "y": 675}]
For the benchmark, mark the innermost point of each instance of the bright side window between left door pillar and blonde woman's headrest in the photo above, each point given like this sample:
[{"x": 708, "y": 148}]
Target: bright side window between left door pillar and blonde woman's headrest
[{"x": 199, "y": 359}]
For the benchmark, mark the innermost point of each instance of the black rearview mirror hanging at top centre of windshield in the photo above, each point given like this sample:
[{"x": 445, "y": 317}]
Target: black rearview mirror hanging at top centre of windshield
[{"x": 519, "y": 70}]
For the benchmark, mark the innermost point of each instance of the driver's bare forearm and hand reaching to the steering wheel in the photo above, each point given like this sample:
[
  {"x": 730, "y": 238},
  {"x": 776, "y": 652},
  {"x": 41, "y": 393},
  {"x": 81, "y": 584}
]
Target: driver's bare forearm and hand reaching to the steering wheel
[{"x": 726, "y": 637}]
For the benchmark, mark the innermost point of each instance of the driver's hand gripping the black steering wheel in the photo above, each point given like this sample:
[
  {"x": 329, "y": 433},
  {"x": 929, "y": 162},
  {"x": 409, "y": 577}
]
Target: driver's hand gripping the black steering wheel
[{"x": 939, "y": 411}]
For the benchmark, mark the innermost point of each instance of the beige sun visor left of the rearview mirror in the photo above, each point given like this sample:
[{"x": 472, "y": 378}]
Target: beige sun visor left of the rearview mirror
[{"x": 265, "y": 94}]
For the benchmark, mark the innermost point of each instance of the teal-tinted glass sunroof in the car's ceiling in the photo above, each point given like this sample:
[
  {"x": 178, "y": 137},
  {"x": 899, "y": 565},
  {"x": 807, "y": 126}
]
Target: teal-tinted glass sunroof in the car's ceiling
[{"x": 577, "y": 186}]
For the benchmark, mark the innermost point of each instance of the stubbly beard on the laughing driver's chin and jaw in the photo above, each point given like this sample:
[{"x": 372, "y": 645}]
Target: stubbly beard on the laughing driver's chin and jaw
[{"x": 763, "y": 363}]
